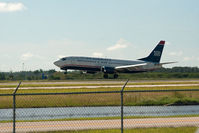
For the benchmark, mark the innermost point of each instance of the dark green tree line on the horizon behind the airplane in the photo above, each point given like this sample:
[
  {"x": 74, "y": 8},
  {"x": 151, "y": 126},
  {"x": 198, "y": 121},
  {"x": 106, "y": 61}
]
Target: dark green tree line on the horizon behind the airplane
[{"x": 163, "y": 73}]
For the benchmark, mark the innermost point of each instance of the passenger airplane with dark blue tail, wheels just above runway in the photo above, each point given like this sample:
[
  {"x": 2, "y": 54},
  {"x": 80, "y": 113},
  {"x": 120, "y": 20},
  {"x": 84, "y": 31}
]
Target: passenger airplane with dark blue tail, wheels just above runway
[{"x": 114, "y": 66}]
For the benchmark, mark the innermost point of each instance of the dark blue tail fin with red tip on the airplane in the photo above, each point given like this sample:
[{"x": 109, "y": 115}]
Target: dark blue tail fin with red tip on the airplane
[{"x": 156, "y": 54}]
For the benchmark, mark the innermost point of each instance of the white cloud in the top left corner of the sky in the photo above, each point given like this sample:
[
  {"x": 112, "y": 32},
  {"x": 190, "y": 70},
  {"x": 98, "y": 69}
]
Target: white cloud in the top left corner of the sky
[{"x": 11, "y": 7}]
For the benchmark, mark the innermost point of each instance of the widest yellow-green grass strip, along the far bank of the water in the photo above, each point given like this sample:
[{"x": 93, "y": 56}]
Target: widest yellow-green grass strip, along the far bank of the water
[{"x": 111, "y": 99}]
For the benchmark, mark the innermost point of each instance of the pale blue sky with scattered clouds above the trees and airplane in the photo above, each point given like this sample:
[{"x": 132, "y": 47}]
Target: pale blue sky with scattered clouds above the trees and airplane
[{"x": 35, "y": 33}]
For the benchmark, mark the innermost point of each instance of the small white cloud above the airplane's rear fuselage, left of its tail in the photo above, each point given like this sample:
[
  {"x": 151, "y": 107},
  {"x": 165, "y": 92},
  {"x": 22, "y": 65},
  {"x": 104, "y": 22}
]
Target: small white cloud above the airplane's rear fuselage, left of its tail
[{"x": 120, "y": 44}]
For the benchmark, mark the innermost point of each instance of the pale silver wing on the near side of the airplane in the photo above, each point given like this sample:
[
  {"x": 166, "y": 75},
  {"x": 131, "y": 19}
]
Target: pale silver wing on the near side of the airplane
[{"x": 136, "y": 67}]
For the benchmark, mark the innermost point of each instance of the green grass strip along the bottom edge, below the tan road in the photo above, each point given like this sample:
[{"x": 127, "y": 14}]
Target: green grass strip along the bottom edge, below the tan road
[{"x": 138, "y": 130}]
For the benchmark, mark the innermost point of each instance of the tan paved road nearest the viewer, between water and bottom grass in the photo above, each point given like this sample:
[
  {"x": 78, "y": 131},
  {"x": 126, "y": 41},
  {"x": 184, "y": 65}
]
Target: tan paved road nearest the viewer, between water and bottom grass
[{"x": 99, "y": 124}]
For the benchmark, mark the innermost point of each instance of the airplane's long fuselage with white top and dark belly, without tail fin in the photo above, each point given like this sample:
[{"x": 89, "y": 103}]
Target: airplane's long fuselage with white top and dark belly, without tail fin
[{"x": 96, "y": 64}]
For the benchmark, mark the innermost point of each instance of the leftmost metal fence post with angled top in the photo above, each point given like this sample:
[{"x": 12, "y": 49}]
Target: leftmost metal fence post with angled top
[{"x": 14, "y": 106}]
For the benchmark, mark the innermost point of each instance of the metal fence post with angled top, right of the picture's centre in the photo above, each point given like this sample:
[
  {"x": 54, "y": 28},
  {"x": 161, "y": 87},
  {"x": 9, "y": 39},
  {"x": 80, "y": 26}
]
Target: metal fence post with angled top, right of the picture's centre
[{"x": 122, "y": 107}]
